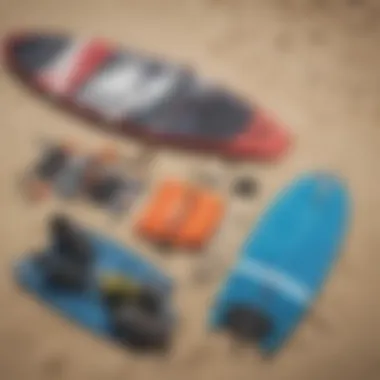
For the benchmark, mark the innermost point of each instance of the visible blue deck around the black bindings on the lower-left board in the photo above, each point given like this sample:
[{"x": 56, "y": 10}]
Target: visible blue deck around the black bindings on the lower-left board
[{"x": 87, "y": 308}]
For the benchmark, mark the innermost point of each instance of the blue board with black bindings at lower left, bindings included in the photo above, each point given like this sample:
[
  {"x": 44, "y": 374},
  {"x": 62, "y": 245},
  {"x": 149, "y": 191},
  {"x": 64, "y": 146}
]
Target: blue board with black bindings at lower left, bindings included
[{"x": 100, "y": 285}]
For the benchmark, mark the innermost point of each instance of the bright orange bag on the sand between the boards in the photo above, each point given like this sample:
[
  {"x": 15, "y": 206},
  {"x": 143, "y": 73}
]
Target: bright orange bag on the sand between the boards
[{"x": 181, "y": 214}]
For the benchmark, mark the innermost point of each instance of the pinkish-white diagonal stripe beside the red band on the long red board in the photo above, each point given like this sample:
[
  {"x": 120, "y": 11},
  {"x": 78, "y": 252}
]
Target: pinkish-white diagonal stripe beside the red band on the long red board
[{"x": 63, "y": 67}]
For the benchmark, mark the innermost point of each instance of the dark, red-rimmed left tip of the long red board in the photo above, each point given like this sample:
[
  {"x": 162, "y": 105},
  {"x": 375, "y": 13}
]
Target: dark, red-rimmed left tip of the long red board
[{"x": 30, "y": 52}]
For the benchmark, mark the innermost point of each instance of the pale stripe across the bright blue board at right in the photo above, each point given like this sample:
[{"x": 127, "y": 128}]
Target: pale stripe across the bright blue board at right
[{"x": 276, "y": 280}]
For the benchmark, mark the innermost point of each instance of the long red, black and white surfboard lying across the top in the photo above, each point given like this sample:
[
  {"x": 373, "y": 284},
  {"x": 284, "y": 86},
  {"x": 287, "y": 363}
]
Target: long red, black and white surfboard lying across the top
[{"x": 133, "y": 94}]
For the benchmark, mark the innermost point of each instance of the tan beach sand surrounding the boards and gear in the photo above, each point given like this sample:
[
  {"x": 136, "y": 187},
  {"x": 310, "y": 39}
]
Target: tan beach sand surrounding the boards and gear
[{"x": 315, "y": 65}]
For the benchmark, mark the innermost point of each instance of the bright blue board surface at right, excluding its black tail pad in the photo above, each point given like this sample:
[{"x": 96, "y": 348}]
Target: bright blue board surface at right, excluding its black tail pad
[{"x": 288, "y": 255}]
